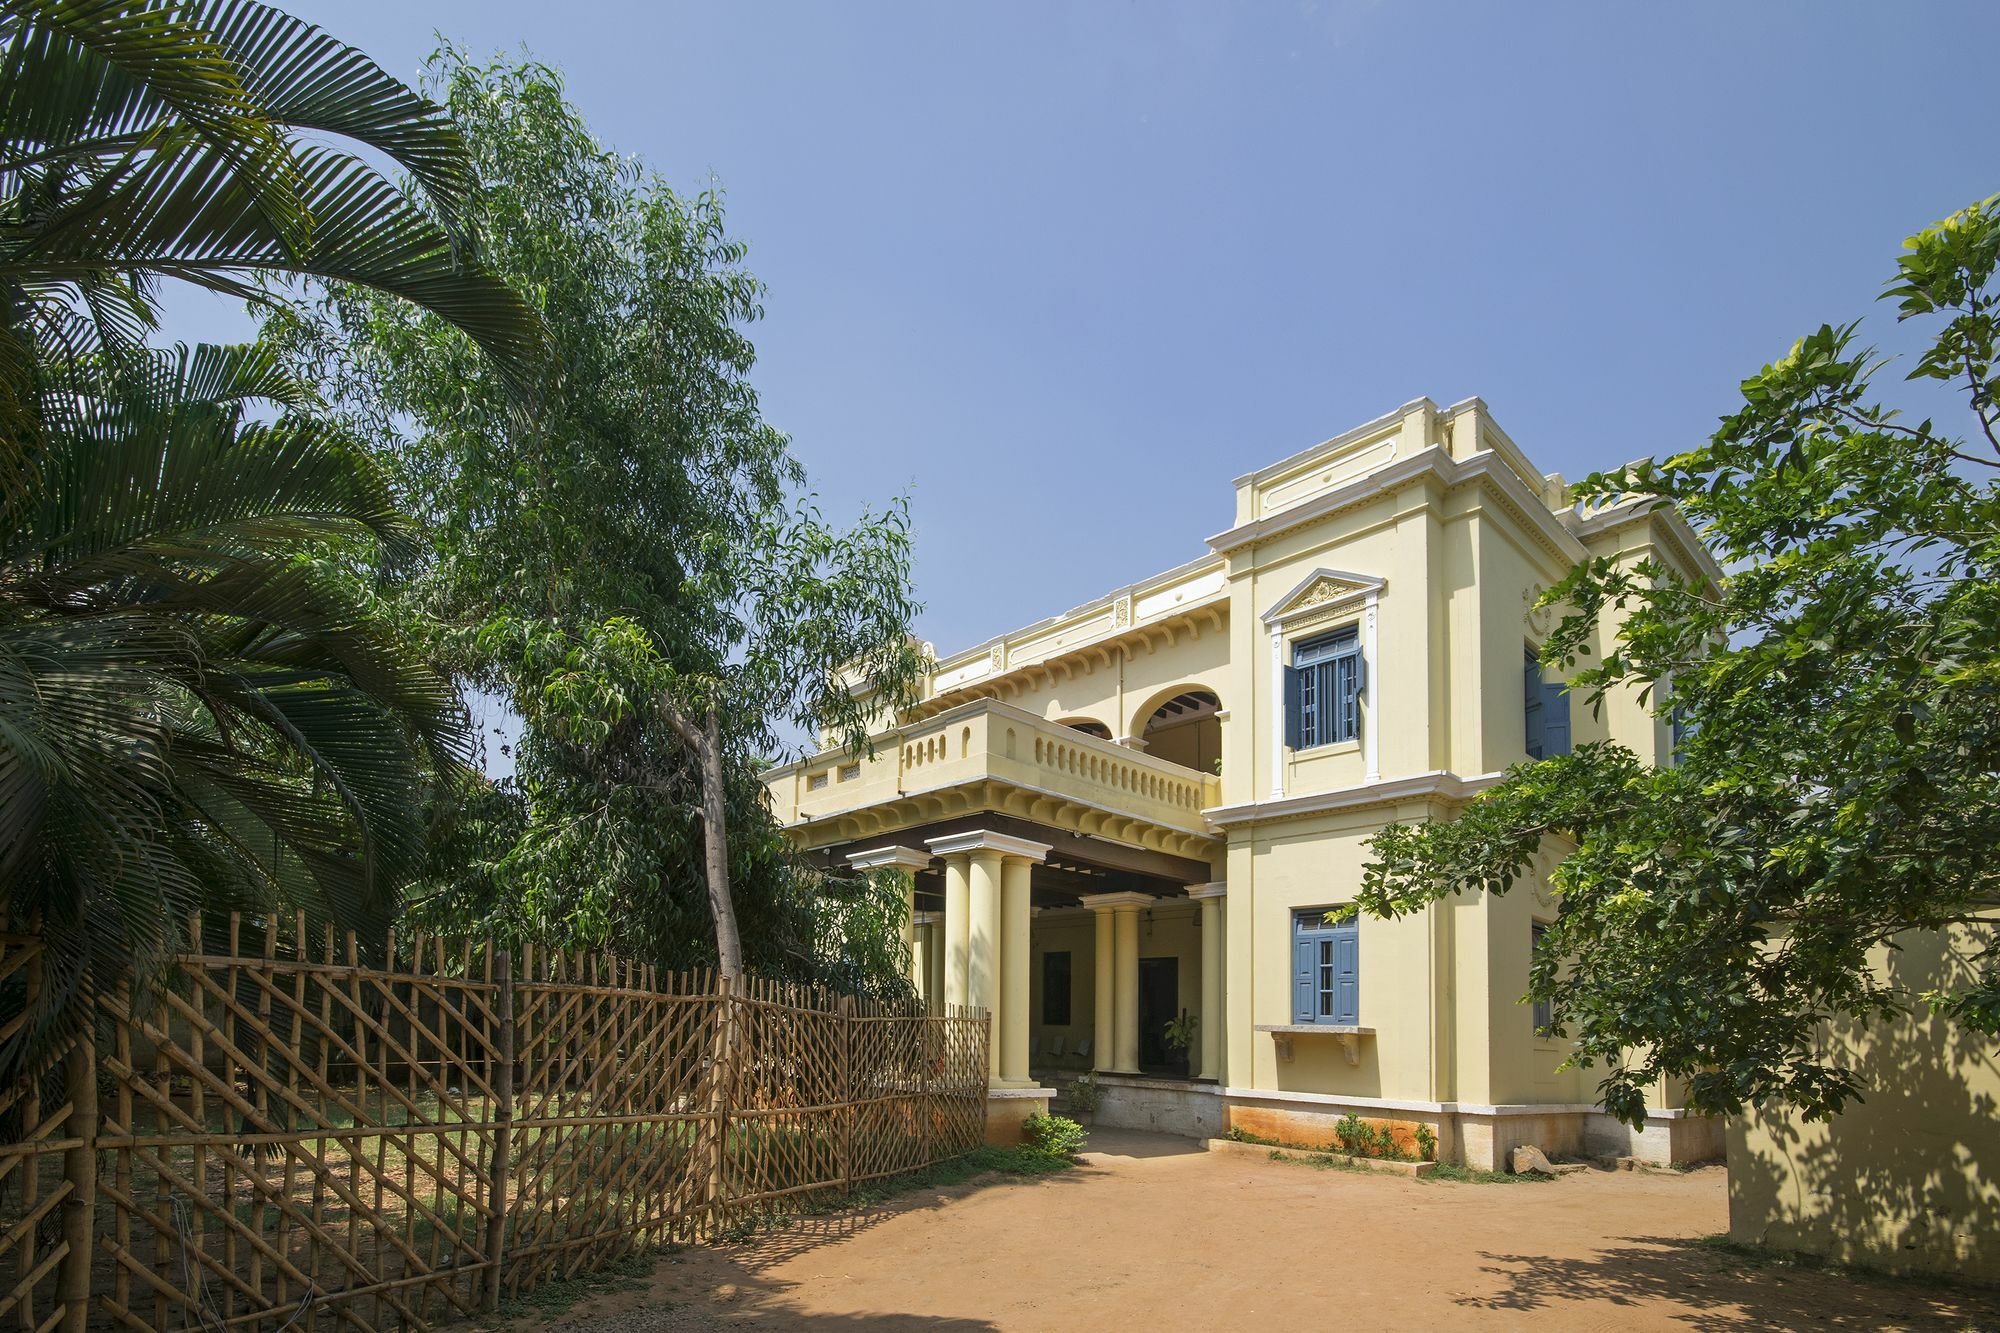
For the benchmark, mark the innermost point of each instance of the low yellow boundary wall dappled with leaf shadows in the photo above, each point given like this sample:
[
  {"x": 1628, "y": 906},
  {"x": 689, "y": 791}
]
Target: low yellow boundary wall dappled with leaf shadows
[{"x": 1911, "y": 1178}]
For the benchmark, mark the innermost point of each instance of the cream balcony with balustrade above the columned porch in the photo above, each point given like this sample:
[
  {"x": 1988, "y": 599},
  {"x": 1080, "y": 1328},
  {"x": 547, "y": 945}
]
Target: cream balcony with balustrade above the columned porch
[{"x": 987, "y": 756}]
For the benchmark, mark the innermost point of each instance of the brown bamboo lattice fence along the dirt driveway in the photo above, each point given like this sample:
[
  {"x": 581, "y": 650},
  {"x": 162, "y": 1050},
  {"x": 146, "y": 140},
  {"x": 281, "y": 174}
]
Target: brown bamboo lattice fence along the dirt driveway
[{"x": 289, "y": 1138}]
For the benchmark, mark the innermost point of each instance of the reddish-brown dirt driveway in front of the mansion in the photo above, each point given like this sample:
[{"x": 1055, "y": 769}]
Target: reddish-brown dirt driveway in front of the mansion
[{"x": 1157, "y": 1234}]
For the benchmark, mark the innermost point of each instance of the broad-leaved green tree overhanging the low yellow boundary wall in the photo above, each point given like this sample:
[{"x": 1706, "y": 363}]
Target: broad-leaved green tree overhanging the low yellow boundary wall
[{"x": 1839, "y": 782}]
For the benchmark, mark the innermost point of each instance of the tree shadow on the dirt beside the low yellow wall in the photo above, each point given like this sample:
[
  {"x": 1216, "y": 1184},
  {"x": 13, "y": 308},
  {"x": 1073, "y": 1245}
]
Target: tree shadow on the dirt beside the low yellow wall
[{"x": 1729, "y": 1290}]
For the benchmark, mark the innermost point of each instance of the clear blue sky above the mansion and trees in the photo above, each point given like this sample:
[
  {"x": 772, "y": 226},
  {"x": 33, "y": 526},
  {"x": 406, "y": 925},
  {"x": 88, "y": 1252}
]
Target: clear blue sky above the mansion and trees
[{"x": 1063, "y": 271}]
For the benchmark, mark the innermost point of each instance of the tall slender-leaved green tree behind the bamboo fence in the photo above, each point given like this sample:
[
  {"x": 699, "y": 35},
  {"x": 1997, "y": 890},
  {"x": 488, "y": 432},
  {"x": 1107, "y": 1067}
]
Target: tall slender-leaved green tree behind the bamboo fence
[{"x": 633, "y": 571}]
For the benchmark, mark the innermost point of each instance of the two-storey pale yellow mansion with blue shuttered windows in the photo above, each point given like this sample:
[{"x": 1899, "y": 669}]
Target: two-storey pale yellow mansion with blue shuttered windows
[{"x": 1143, "y": 812}]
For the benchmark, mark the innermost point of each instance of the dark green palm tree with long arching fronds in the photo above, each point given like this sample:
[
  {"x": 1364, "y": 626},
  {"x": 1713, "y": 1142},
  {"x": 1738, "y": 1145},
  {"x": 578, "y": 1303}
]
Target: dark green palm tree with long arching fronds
[{"x": 197, "y": 700}]
